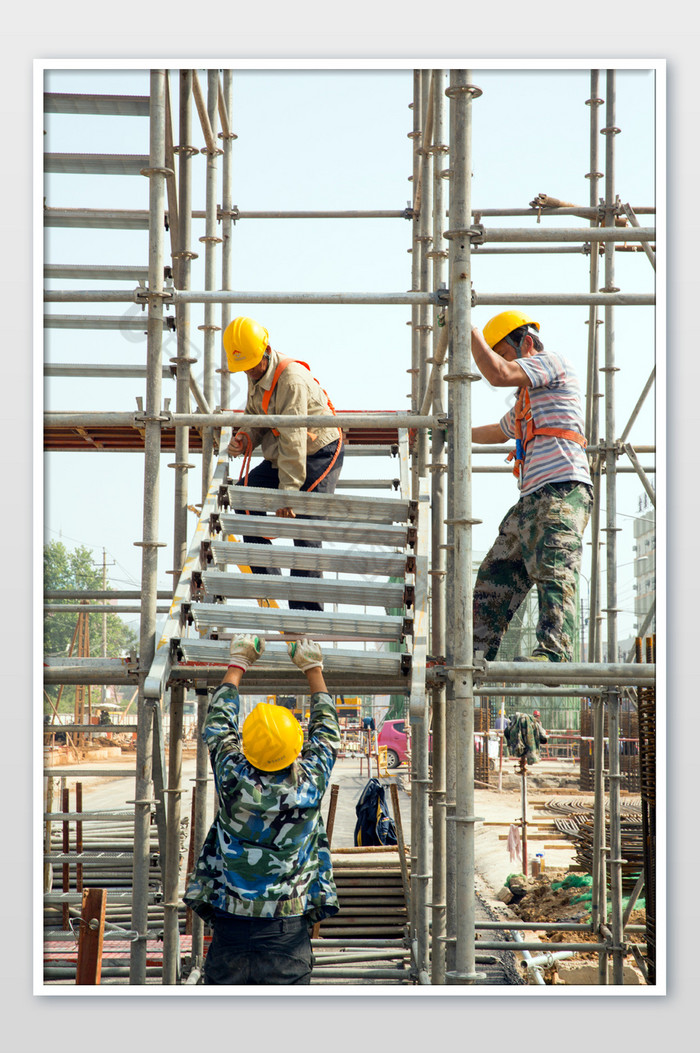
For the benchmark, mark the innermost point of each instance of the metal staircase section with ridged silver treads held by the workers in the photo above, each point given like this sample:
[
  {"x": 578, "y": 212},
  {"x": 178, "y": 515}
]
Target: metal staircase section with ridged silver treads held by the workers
[{"x": 218, "y": 597}]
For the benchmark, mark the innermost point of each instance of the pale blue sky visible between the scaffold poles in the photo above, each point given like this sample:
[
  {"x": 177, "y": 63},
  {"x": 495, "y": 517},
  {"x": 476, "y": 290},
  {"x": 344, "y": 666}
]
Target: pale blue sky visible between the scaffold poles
[{"x": 339, "y": 140}]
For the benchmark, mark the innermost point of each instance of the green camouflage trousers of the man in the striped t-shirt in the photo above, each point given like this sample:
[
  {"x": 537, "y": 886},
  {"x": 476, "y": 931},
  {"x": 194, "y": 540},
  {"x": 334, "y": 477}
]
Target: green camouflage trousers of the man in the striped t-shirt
[{"x": 539, "y": 544}]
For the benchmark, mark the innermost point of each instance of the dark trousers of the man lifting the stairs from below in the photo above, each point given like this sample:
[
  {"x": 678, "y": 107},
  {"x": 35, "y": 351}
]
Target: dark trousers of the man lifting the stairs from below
[{"x": 259, "y": 951}]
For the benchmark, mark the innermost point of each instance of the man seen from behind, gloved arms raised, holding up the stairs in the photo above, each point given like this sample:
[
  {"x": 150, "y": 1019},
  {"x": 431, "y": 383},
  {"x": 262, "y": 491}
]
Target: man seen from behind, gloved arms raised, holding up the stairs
[{"x": 265, "y": 876}]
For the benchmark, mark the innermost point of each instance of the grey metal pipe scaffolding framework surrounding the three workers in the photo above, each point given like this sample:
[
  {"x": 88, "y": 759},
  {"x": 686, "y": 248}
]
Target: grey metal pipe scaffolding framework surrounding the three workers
[{"x": 449, "y": 237}]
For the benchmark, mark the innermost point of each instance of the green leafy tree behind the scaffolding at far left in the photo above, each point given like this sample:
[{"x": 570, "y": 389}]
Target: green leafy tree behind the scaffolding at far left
[{"x": 77, "y": 570}]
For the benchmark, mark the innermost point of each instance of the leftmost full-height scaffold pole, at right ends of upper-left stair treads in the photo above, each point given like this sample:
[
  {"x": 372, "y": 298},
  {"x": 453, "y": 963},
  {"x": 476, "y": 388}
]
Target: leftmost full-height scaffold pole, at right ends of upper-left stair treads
[{"x": 144, "y": 803}]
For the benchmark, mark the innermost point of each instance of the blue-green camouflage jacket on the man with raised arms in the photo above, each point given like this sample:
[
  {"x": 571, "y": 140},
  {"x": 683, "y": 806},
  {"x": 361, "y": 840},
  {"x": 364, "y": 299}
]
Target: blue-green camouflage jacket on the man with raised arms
[{"x": 267, "y": 853}]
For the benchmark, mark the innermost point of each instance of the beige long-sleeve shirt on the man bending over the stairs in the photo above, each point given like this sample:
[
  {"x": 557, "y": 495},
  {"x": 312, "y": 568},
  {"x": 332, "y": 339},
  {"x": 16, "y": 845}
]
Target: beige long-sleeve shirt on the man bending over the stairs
[{"x": 296, "y": 393}]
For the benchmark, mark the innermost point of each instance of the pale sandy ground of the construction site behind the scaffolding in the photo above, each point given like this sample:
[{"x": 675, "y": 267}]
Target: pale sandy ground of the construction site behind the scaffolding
[{"x": 498, "y": 810}]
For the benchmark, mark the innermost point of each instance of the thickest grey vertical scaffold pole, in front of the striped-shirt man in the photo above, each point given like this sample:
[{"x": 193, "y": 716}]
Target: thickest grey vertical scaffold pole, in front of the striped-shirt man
[{"x": 462, "y": 93}]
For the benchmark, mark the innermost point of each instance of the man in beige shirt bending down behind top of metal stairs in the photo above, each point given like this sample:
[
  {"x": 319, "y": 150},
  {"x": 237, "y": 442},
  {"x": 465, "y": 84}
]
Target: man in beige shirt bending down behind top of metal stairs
[{"x": 301, "y": 459}]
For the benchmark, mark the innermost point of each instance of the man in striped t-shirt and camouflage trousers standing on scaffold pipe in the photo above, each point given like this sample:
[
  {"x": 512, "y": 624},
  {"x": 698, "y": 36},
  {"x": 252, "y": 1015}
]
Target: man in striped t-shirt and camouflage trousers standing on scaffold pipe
[{"x": 541, "y": 540}]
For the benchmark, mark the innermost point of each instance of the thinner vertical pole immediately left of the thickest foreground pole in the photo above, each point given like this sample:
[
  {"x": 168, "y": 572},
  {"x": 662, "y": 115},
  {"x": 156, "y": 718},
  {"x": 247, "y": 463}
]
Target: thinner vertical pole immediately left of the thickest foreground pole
[{"x": 438, "y": 608}]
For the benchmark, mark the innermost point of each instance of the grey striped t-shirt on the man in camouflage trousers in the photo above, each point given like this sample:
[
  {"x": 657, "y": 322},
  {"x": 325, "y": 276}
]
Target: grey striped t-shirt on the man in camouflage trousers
[{"x": 555, "y": 399}]
